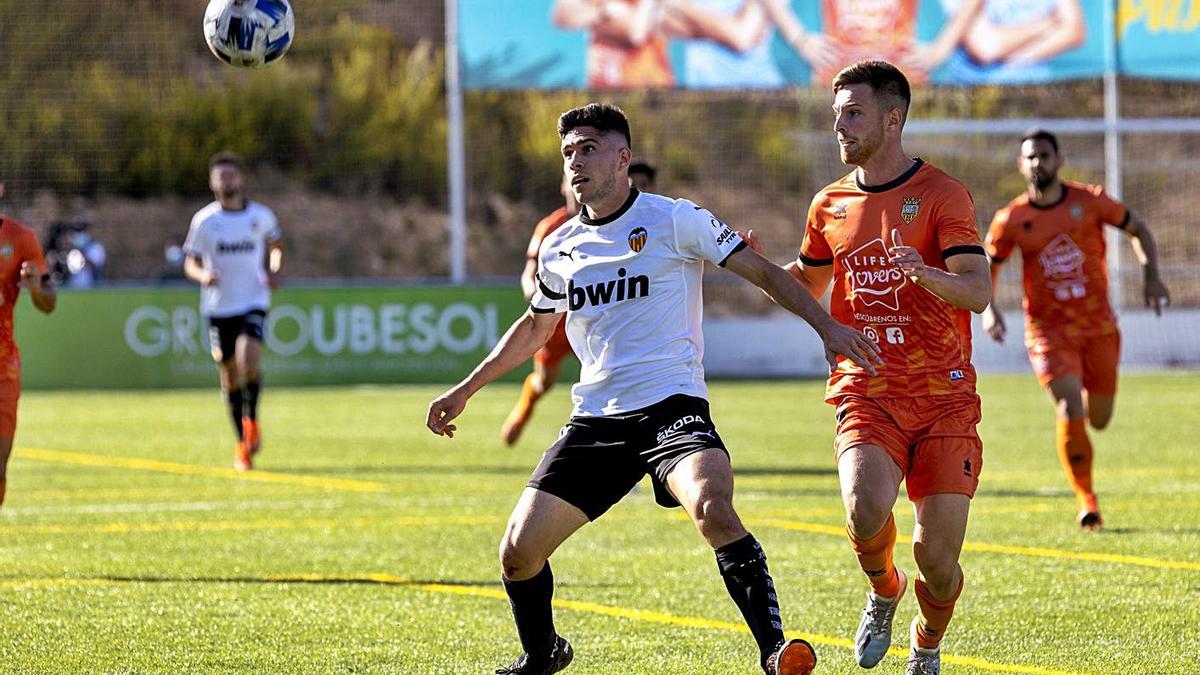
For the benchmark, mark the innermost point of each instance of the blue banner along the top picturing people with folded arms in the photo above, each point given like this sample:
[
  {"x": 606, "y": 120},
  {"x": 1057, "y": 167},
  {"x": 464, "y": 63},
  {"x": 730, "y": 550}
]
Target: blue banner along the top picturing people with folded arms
[{"x": 773, "y": 44}]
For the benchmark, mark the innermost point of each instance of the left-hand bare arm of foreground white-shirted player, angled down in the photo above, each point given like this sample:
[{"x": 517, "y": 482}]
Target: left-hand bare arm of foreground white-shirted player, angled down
[{"x": 524, "y": 338}]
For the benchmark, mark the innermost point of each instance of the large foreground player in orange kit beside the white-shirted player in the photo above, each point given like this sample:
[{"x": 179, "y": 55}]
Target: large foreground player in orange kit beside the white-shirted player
[{"x": 898, "y": 241}]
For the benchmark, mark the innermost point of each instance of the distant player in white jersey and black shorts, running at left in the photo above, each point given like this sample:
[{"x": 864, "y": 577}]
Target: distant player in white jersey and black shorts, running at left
[{"x": 235, "y": 254}]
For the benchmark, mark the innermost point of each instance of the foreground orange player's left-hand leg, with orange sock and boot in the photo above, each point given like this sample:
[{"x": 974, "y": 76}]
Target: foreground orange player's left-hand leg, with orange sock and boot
[{"x": 871, "y": 482}]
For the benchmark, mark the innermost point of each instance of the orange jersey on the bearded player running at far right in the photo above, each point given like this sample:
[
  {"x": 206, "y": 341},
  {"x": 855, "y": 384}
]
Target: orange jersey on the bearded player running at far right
[{"x": 1063, "y": 259}]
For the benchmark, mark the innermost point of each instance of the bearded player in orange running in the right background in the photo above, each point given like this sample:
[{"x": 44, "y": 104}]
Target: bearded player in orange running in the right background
[{"x": 1071, "y": 331}]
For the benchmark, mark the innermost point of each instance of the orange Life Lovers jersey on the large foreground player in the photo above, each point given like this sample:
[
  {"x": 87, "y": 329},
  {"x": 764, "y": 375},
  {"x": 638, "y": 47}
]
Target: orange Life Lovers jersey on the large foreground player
[{"x": 926, "y": 342}]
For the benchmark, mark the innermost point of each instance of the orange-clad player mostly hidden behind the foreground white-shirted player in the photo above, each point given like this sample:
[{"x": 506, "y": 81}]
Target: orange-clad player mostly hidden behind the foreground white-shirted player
[{"x": 549, "y": 360}]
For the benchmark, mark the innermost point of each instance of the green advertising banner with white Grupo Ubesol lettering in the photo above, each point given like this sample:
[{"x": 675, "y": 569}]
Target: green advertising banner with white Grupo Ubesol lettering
[{"x": 157, "y": 337}]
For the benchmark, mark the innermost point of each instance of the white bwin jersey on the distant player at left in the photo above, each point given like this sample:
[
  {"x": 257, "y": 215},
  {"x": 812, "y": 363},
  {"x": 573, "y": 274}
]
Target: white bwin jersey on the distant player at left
[{"x": 233, "y": 244}]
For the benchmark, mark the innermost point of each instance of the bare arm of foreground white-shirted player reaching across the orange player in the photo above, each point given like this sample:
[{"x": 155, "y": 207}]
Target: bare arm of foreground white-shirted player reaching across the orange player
[{"x": 787, "y": 292}]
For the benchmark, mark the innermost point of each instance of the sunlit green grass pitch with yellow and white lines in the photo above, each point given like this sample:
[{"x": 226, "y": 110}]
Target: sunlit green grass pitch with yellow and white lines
[{"x": 365, "y": 545}]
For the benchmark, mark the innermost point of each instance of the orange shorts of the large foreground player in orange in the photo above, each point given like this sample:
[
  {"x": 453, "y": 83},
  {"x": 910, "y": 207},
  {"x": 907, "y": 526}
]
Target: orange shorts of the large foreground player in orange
[{"x": 932, "y": 439}]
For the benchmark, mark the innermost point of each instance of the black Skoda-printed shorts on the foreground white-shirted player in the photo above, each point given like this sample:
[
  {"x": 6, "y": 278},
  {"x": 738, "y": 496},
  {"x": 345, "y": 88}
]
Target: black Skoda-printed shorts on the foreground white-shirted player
[{"x": 598, "y": 461}]
